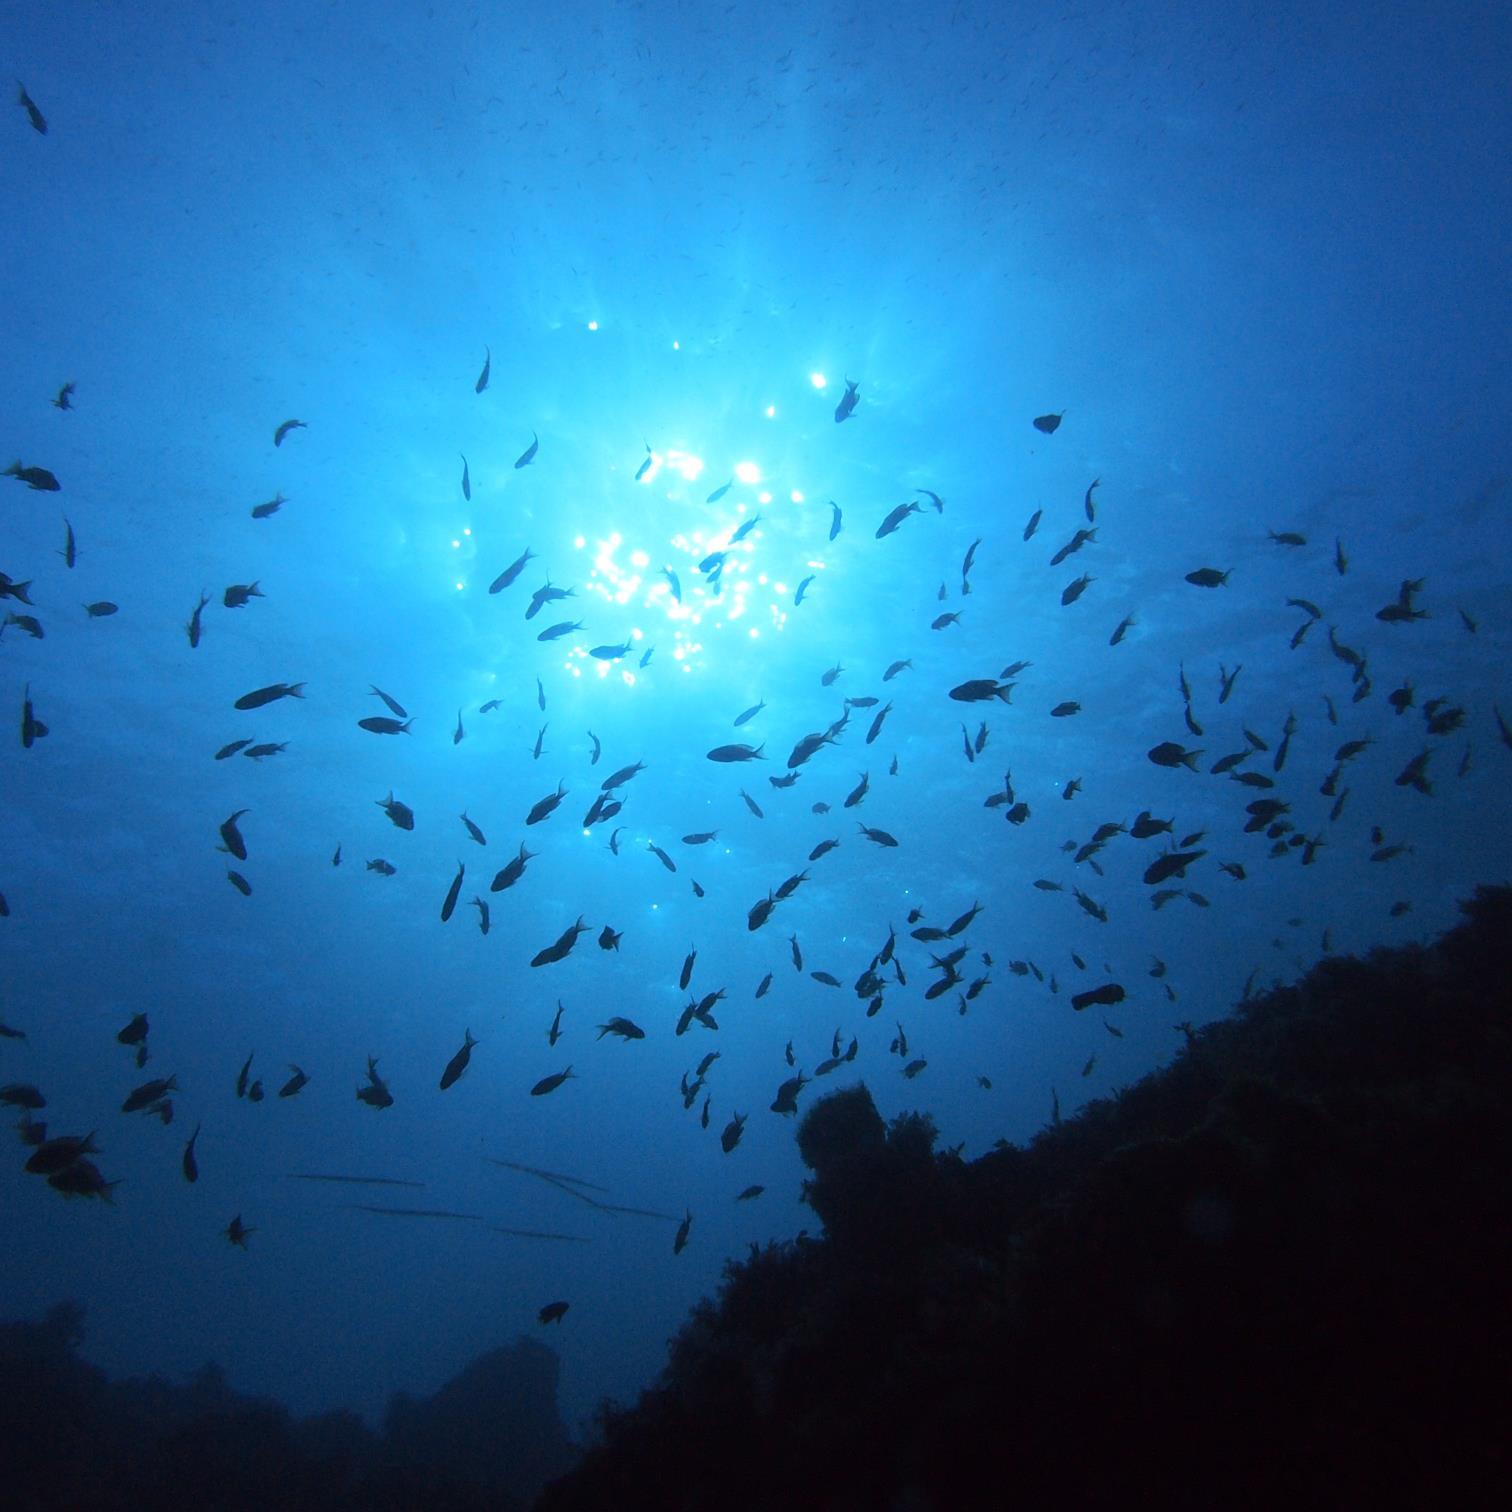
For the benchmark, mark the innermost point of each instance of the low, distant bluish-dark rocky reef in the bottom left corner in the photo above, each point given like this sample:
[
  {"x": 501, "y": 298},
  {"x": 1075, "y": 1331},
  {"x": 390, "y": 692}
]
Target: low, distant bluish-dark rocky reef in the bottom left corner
[{"x": 76, "y": 1442}]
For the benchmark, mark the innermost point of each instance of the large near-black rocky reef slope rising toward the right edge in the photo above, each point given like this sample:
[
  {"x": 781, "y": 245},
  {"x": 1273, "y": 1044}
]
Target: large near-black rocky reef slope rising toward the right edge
[{"x": 1274, "y": 1272}]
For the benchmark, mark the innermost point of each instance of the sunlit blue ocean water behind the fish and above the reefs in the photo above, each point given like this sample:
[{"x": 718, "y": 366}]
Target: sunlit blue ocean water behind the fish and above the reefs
[{"x": 1257, "y": 264}]
